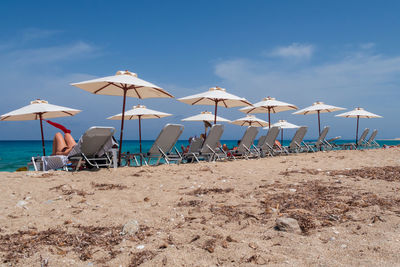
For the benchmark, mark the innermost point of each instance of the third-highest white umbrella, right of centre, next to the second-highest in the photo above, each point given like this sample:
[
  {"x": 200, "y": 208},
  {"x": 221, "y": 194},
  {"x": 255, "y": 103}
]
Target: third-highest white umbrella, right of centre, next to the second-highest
[{"x": 268, "y": 105}]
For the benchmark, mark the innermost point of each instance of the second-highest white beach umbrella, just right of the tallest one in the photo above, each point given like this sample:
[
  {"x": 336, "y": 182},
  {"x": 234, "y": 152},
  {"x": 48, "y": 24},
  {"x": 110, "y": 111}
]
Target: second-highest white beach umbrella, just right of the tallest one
[{"x": 216, "y": 96}]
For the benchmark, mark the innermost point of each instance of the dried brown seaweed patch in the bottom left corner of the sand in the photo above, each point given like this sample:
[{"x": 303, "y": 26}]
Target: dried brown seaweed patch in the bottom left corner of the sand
[{"x": 82, "y": 240}]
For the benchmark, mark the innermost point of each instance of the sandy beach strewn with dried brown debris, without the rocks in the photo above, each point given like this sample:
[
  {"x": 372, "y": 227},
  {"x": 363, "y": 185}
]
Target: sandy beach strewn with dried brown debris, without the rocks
[{"x": 209, "y": 214}]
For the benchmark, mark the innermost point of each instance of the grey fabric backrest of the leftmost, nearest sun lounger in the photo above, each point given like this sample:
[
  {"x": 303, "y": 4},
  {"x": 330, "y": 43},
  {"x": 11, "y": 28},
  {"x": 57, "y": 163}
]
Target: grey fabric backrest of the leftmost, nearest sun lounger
[{"x": 93, "y": 140}]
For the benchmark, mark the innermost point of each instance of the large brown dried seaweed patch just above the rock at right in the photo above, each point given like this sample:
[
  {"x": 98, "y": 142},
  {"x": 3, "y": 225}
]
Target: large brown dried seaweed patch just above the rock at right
[{"x": 316, "y": 204}]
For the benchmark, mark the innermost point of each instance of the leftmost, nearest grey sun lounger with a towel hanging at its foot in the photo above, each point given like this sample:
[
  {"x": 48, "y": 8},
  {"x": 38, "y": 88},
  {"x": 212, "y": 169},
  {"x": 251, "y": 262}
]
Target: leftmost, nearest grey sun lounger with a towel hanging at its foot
[{"x": 96, "y": 148}]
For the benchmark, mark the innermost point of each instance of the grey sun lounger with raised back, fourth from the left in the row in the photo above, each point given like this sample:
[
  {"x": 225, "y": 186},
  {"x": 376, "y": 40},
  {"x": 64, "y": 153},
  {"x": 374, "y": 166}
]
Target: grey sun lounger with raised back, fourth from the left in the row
[{"x": 244, "y": 148}]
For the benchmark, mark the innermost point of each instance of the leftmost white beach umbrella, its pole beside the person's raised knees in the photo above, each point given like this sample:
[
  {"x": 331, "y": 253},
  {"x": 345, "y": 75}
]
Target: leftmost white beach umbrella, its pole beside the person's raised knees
[{"x": 39, "y": 110}]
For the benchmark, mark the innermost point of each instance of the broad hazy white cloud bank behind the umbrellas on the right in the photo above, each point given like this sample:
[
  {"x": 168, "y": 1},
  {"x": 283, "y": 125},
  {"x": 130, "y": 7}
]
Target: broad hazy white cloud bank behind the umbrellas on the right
[{"x": 360, "y": 79}]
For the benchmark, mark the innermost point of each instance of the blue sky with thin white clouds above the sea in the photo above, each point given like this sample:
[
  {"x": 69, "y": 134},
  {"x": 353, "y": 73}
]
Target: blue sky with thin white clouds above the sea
[{"x": 345, "y": 53}]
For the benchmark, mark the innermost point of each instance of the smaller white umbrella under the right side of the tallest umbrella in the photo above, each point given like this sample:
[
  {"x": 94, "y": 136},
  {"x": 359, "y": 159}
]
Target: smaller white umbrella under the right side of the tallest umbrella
[{"x": 139, "y": 112}]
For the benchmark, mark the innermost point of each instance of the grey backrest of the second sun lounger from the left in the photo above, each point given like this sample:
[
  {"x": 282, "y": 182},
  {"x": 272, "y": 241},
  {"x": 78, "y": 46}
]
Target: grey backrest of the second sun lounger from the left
[{"x": 166, "y": 139}]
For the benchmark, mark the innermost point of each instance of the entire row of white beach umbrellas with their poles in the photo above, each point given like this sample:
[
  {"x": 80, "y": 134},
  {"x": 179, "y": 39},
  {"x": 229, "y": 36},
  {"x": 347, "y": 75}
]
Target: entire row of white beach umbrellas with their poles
[{"x": 127, "y": 84}]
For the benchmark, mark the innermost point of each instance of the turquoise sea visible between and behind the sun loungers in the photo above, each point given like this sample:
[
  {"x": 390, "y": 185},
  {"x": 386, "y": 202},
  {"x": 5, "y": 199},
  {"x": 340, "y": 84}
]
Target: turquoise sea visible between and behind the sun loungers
[{"x": 16, "y": 154}]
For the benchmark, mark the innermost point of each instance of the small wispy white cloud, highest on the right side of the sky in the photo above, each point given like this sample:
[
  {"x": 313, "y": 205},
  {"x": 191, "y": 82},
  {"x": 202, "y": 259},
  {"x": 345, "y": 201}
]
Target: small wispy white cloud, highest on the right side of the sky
[{"x": 294, "y": 50}]
